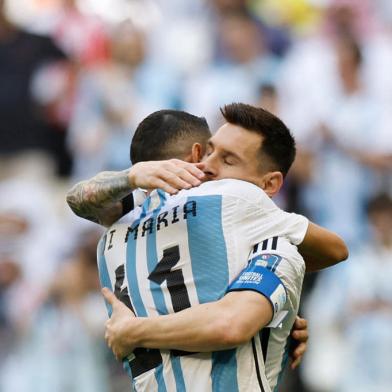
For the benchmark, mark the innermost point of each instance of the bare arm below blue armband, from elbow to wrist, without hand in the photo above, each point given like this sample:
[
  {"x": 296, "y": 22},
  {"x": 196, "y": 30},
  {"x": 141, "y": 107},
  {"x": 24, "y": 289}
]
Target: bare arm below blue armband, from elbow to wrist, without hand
[{"x": 208, "y": 327}]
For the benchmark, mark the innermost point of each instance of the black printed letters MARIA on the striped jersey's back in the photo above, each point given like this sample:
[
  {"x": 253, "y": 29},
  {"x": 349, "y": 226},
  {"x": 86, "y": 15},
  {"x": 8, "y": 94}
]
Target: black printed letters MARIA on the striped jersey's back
[{"x": 172, "y": 216}]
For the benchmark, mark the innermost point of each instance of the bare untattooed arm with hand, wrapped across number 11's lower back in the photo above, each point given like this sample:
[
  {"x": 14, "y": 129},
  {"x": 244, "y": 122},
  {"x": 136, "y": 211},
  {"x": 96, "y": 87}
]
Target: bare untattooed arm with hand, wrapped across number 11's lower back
[{"x": 227, "y": 323}]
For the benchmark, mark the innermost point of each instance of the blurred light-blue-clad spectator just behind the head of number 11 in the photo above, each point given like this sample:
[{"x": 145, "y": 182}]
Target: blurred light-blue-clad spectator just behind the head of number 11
[{"x": 112, "y": 99}]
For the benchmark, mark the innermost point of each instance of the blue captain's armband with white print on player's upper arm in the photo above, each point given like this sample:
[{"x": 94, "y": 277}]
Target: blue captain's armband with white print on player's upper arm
[{"x": 258, "y": 277}]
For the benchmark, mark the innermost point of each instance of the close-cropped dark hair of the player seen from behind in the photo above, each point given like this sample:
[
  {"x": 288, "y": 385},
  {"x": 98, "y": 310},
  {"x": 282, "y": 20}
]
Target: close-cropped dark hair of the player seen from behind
[{"x": 167, "y": 134}]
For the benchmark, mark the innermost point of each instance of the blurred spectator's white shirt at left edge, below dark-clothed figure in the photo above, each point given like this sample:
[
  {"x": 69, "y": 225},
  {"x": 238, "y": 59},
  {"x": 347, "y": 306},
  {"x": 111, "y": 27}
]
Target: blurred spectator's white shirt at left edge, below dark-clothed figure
[{"x": 30, "y": 229}]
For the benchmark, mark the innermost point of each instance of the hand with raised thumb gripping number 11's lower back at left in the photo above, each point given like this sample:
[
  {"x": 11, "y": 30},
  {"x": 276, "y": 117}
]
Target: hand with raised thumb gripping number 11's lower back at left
[{"x": 120, "y": 327}]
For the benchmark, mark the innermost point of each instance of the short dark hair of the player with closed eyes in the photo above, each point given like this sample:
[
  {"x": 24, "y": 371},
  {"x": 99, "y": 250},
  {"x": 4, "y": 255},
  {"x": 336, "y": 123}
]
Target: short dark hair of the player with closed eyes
[{"x": 278, "y": 143}]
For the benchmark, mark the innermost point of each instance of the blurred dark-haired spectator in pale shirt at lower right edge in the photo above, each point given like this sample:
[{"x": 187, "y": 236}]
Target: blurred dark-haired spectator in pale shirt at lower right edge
[{"x": 356, "y": 315}]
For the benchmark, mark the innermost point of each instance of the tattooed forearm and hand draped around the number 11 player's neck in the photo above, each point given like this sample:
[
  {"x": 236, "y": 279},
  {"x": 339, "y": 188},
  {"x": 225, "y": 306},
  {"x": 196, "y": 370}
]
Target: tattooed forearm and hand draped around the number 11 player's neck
[{"x": 100, "y": 198}]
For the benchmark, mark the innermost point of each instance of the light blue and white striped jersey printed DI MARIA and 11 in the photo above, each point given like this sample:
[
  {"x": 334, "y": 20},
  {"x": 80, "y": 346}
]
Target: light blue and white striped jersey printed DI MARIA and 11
[{"x": 179, "y": 251}]
